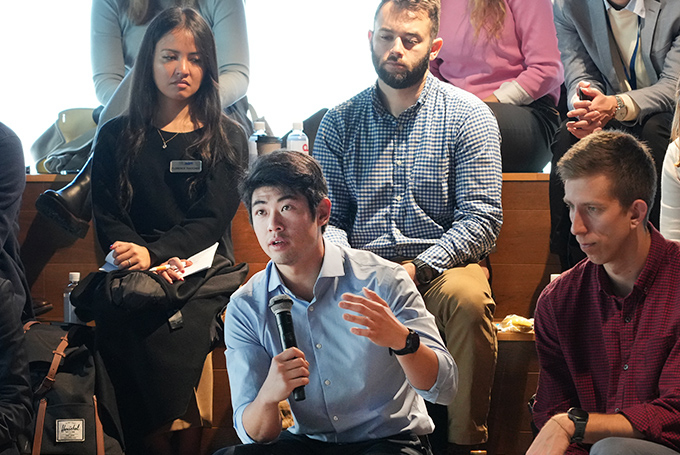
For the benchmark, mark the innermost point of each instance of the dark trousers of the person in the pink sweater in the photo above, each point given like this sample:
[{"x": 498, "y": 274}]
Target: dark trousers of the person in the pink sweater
[{"x": 526, "y": 134}]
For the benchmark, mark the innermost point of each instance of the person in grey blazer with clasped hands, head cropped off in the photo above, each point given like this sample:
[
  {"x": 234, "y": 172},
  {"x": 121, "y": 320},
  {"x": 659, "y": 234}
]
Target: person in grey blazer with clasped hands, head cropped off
[{"x": 623, "y": 56}]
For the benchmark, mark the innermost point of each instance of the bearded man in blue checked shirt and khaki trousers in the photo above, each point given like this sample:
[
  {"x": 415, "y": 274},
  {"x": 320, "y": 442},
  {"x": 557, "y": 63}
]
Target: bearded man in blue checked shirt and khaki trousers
[{"x": 414, "y": 173}]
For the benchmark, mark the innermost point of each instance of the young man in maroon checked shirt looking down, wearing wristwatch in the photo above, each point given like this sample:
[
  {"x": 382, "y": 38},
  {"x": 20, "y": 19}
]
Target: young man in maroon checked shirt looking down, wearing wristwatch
[{"x": 607, "y": 330}]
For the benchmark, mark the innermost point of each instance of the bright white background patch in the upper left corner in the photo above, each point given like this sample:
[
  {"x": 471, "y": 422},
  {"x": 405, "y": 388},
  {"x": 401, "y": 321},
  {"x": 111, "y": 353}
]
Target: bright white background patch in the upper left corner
[{"x": 46, "y": 64}]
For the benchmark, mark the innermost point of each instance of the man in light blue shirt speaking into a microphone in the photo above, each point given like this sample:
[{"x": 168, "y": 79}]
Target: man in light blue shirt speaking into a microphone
[{"x": 368, "y": 351}]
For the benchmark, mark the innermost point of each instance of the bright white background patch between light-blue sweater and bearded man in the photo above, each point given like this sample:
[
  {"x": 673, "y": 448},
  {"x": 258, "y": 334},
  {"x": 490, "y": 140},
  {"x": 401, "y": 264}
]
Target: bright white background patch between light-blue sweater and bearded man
[{"x": 307, "y": 55}]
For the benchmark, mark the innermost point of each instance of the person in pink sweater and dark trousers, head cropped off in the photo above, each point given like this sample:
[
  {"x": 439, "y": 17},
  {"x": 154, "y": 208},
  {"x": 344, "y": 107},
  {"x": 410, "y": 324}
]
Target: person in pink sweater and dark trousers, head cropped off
[{"x": 505, "y": 52}]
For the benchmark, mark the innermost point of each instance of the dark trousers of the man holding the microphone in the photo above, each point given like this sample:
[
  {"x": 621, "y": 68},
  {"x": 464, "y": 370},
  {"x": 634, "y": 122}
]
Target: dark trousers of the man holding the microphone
[{"x": 288, "y": 443}]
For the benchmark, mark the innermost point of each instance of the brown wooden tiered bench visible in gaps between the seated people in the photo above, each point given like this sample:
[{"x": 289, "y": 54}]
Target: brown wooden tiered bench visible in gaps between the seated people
[{"x": 521, "y": 267}]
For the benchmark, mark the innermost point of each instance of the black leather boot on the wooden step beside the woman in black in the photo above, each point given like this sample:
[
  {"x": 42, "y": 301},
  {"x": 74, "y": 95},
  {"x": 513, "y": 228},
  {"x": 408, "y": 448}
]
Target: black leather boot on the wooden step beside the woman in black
[{"x": 71, "y": 206}]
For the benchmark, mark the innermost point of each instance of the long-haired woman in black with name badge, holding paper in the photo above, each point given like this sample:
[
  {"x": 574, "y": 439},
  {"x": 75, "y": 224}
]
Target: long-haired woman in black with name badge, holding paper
[{"x": 164, "y": 187}]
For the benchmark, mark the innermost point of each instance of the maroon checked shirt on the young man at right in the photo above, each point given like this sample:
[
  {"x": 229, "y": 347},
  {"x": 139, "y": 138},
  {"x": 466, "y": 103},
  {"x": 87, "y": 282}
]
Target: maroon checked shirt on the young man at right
[{"x": 608, "y": 354}]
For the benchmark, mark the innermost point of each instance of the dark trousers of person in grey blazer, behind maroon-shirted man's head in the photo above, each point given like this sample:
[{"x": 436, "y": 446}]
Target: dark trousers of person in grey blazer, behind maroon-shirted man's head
[{"x": 655, "y": 131}]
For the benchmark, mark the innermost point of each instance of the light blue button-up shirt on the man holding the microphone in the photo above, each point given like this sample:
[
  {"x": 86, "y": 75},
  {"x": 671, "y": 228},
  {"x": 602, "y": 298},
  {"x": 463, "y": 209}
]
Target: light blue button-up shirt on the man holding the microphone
[{"x": 357, "y": 390}]
